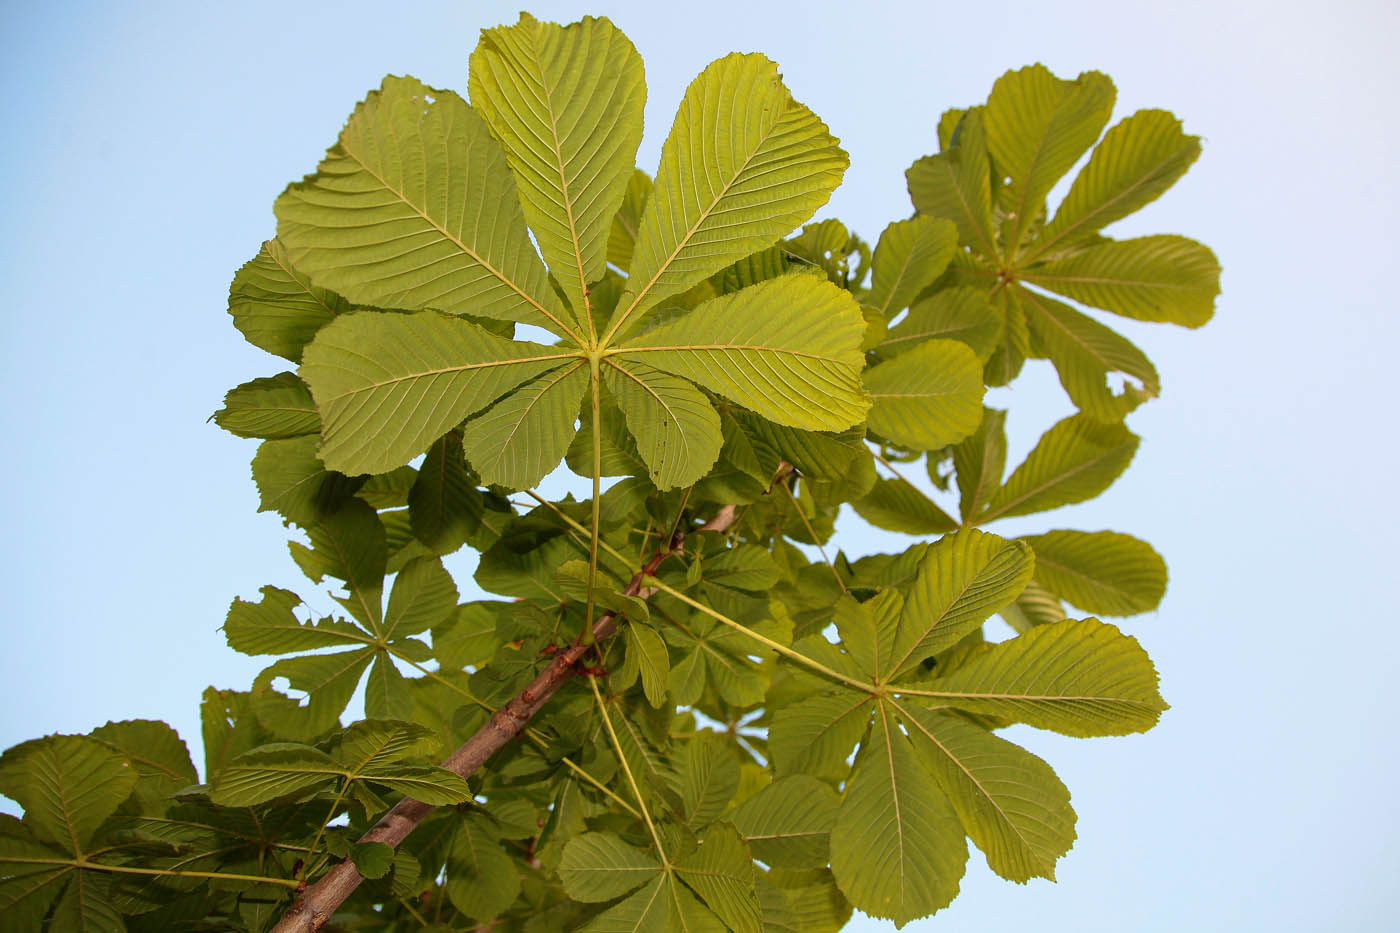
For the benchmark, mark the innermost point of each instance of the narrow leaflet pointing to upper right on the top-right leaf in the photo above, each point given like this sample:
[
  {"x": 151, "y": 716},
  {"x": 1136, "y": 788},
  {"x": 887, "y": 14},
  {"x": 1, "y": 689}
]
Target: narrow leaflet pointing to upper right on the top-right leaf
[{"x": 1133, "y": 165}]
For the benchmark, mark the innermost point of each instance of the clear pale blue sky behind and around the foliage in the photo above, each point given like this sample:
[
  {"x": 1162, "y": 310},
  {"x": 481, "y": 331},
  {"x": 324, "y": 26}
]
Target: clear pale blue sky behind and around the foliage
[{"x": 145, "y": 144}]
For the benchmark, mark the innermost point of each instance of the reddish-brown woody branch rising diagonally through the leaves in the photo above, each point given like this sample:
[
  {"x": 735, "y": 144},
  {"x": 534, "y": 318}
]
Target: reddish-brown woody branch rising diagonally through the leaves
[{"x": 314, "y": 908}]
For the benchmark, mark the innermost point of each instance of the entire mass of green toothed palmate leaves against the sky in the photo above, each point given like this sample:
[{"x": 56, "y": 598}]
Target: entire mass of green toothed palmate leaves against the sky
[{"x": 761, "y": 732}]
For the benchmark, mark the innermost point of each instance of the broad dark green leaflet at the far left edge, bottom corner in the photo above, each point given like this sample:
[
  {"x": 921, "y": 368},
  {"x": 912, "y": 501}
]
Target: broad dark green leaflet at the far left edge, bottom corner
[{"x": 71, "y": 785}]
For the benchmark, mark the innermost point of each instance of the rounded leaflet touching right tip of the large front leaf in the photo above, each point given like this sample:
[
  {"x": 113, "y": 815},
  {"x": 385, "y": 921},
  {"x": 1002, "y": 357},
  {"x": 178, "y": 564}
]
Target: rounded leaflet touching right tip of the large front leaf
[{"x": 926, "y": 399}]
